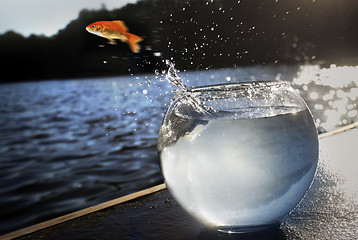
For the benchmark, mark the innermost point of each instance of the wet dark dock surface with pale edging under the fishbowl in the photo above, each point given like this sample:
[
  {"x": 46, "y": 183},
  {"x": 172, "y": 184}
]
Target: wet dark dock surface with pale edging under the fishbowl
[{"x": 329, "y": 211}]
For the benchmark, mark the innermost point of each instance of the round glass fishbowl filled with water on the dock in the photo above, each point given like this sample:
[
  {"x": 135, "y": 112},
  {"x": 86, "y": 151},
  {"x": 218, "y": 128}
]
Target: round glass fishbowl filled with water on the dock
[{"x": 238, "y": 156}]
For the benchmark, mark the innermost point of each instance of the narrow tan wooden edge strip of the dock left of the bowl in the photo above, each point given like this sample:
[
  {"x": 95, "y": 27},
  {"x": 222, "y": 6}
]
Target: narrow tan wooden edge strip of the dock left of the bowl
[{"x": 82, "y": 212}]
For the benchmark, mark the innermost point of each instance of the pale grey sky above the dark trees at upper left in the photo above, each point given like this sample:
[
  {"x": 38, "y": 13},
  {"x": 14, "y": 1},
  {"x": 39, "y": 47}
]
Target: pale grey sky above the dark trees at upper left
[{"x": 46, "y": 17}]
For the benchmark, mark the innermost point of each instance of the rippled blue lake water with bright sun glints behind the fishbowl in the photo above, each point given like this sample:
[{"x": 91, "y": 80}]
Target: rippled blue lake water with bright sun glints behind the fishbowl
[{"x": 66, "y": 145}]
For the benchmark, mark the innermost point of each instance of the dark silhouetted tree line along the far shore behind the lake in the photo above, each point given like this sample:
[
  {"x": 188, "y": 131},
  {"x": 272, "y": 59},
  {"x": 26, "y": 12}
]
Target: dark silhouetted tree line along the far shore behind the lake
[{"x": 196, "y": 34}]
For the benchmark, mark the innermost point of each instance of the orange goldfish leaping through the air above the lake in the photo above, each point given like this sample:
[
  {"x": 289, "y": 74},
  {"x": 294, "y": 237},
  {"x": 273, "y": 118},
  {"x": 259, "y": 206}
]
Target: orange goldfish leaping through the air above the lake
[{"x": 115, "y": 30}]
